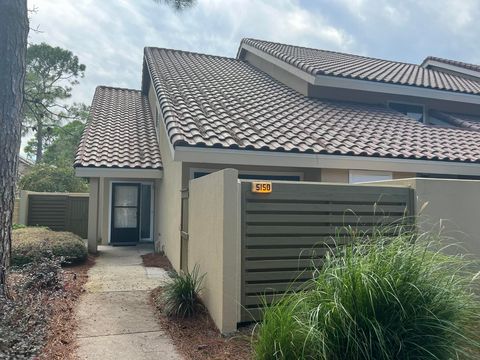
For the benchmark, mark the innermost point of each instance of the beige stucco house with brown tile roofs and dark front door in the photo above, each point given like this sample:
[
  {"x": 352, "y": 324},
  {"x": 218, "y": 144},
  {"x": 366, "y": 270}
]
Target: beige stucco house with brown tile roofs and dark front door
[{"x": 275, "y": 111}]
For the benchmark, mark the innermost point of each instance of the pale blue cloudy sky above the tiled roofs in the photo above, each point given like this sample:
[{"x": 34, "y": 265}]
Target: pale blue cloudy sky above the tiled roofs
[{"x": 108, "y": 36}]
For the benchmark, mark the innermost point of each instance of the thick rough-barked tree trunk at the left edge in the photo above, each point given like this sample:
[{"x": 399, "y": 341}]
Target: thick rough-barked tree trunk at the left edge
[{"x": 13, "y": 47}]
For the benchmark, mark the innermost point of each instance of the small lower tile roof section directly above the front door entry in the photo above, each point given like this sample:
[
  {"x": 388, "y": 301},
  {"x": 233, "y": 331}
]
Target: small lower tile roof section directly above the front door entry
[{"x": 120, "y": 132}]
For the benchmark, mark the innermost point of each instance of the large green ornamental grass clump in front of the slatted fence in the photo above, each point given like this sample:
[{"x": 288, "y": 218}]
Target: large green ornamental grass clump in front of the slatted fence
[{"x": 379, "y": 298}]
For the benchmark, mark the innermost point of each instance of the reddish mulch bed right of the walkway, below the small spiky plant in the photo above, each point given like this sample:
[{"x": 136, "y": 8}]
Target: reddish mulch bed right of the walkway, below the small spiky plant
[{"x": 197, "y": 338}]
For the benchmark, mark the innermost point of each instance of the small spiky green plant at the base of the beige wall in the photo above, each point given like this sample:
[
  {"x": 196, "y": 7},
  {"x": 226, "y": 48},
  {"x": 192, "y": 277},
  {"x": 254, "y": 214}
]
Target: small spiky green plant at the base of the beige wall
[{"x": 180, "y": 295}]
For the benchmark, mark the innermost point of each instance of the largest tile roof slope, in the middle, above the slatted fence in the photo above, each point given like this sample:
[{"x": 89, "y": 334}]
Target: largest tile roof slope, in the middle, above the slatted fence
[{"x": 221, "y": 102}]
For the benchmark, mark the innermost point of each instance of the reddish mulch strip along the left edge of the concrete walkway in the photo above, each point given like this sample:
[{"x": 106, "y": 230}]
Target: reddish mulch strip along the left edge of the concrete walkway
[{"x": 61, "y": 339}]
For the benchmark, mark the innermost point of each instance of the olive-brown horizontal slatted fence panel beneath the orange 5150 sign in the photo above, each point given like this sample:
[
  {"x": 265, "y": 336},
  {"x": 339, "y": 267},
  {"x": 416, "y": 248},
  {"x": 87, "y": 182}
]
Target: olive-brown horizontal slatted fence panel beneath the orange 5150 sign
[{"x": 286, "y": 233}]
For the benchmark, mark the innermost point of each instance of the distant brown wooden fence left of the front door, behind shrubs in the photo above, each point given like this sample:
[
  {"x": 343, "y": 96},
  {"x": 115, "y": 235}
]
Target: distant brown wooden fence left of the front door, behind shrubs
[{"x": 60, "y": 212}]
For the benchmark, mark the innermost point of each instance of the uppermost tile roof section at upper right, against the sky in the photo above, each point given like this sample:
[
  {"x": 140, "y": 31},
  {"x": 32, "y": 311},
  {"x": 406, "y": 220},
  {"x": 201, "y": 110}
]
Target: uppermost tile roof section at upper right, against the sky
[{"x": 330, "y": 63}]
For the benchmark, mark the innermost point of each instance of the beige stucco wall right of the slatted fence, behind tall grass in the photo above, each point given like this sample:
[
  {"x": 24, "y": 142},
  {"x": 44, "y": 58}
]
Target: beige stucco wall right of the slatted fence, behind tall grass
[{"x": 453, "y": 205}]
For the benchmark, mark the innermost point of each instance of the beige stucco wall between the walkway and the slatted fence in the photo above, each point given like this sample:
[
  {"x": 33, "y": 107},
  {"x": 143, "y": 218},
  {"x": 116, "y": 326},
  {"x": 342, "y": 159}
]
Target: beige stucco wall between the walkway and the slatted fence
[{"x": 214, "y": 244}]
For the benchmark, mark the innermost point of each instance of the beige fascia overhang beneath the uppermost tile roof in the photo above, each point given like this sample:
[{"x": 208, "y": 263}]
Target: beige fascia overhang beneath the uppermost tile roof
[{"x": 363, "y": 85}]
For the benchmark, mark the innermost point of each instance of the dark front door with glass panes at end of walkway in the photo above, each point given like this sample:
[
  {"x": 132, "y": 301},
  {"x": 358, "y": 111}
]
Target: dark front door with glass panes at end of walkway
[{"x": 125, "y": 214}]
